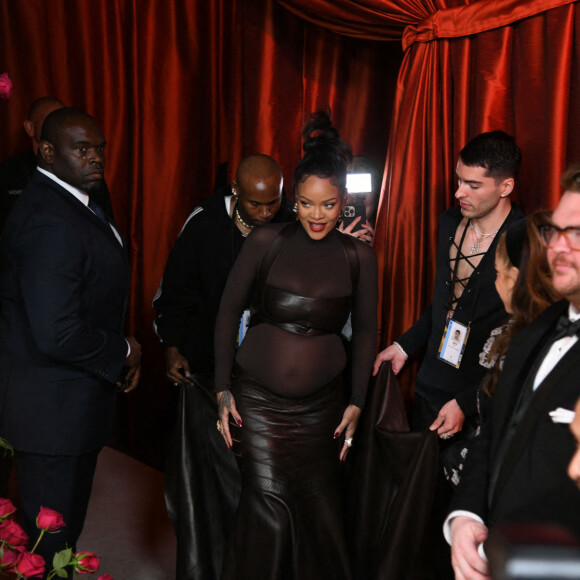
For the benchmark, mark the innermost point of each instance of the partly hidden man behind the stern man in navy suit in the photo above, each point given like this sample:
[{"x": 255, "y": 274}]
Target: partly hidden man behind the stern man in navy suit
[{"x": 16, "y": 171}]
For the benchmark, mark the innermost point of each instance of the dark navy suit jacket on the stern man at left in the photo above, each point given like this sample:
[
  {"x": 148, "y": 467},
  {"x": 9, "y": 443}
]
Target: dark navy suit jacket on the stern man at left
[{"x": 64, "y": 284}]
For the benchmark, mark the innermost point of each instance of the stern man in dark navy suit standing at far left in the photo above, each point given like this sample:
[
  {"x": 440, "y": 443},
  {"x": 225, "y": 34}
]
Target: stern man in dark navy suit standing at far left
[{"x": 64, "y": 287}]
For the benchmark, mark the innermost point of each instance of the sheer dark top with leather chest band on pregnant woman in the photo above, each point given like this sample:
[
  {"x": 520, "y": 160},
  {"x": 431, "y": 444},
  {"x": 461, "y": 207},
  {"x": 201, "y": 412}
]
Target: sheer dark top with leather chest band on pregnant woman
[{"x": 309, "y": 284}]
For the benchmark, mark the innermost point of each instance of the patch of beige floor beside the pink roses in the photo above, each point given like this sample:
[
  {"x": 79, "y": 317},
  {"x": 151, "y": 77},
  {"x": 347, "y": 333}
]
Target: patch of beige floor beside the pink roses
[{"x": 127, "y": 525}]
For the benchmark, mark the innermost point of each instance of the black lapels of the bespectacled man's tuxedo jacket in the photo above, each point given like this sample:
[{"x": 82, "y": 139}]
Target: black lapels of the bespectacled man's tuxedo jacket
[{"x": 536, "y": 406}]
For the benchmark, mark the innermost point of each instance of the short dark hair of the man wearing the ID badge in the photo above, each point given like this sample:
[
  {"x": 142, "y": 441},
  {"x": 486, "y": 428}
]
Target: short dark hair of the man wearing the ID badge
[{"x": 496, "y": 151}]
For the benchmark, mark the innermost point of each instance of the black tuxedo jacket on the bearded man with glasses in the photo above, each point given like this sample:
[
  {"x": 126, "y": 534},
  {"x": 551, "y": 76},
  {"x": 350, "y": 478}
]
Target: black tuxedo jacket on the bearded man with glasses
[{"x": 532, "y": 483}]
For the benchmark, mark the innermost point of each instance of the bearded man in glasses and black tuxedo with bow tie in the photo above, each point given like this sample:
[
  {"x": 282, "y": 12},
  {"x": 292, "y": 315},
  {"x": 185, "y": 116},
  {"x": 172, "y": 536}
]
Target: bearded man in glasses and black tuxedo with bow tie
[{"x": 516, "y": 471}]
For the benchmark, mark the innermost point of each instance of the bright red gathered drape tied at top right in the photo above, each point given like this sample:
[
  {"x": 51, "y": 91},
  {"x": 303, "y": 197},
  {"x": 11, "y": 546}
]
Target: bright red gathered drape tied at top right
[{"x": 468, "y": 68}]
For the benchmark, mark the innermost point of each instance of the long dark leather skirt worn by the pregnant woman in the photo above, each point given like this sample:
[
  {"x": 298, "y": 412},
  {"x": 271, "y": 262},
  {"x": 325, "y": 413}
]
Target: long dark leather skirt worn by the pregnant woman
[{"x": 289, "y": 523}]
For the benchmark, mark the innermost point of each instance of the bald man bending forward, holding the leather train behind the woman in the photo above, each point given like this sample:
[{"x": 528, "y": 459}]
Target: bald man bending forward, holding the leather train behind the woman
[{"x": 202, "y": 480}]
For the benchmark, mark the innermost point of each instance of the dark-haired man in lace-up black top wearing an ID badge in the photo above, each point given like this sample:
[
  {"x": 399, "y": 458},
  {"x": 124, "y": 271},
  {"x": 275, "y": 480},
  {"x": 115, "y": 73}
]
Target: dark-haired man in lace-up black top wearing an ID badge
[{"x": 464, "y": 299}]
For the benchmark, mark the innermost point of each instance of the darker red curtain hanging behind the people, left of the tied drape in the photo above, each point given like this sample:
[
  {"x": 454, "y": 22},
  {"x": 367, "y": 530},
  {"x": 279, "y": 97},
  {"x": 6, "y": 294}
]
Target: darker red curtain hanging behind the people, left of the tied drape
[{"x": 181, "y": 87}]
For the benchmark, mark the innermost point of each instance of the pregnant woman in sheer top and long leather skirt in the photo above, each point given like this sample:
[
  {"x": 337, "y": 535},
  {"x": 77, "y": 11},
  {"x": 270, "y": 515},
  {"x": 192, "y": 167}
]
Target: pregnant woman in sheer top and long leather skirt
[{"x": 290, "y": 423}]
